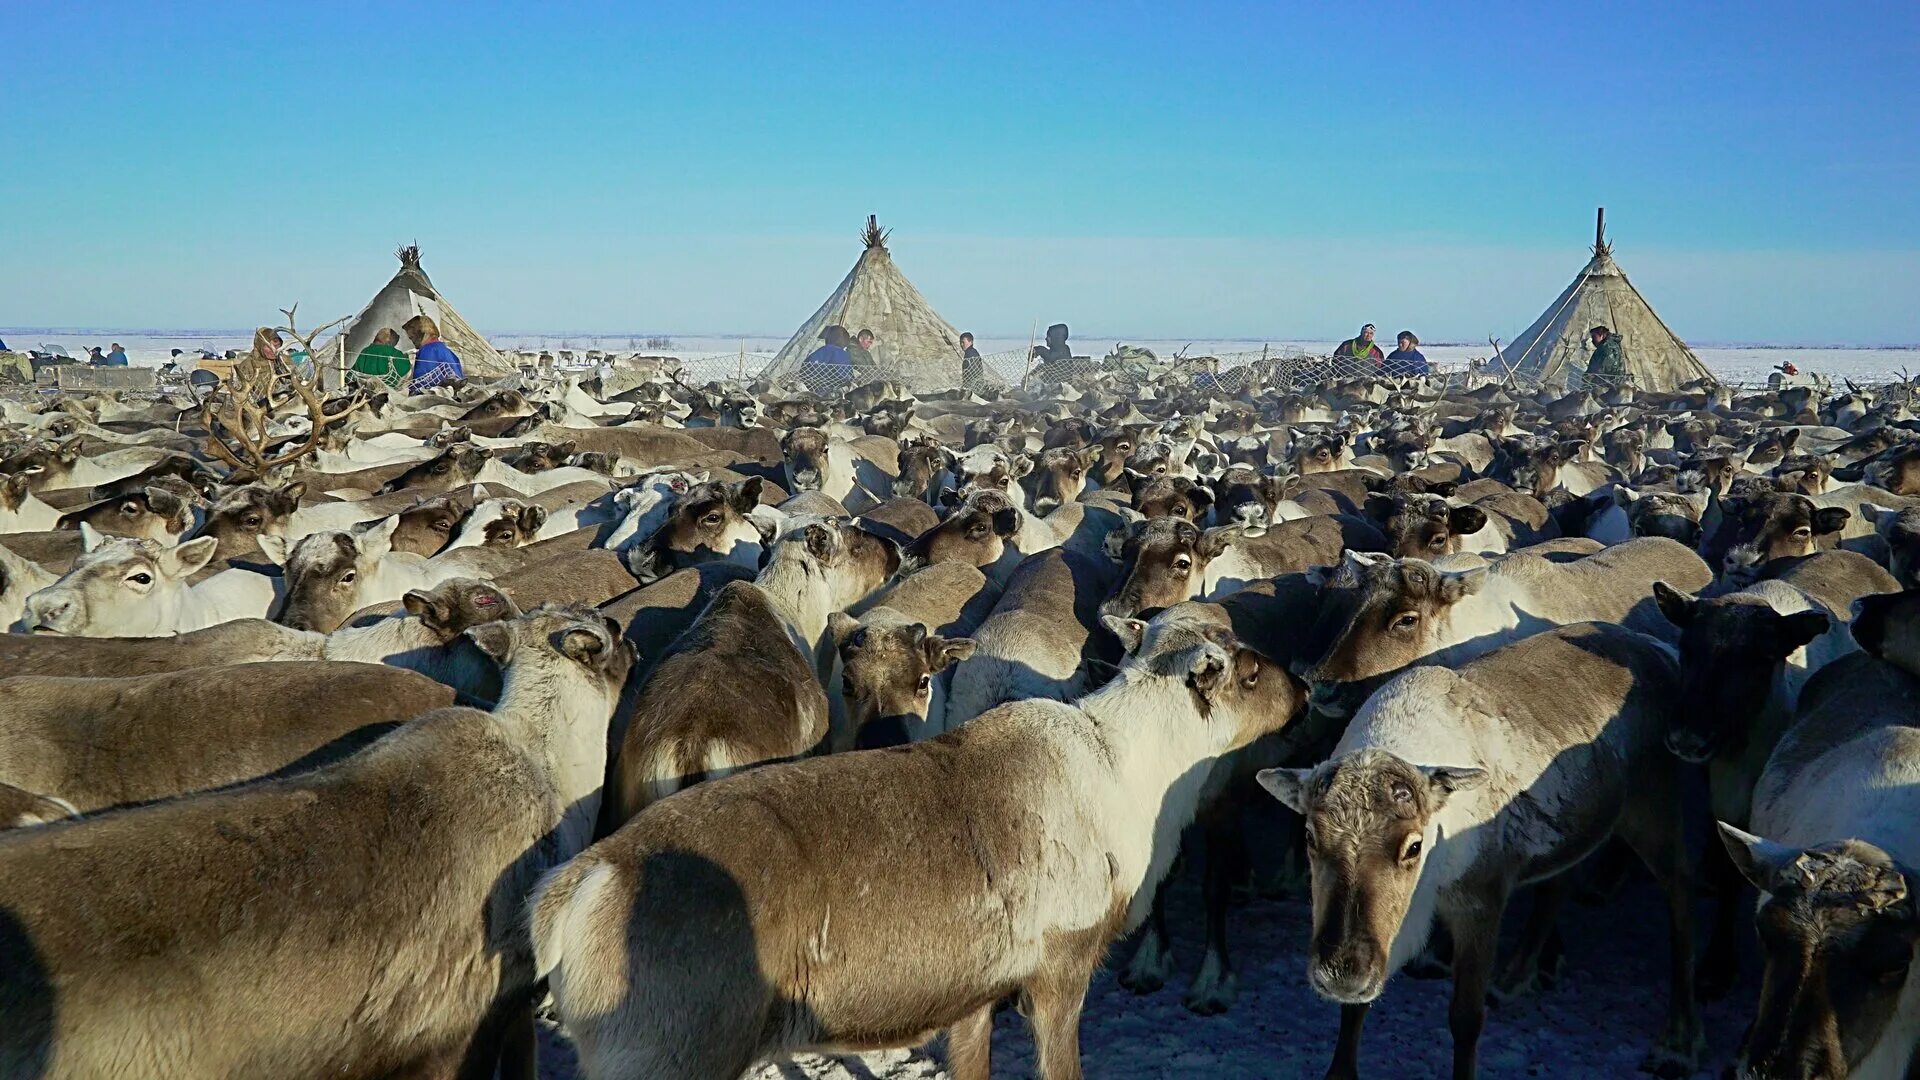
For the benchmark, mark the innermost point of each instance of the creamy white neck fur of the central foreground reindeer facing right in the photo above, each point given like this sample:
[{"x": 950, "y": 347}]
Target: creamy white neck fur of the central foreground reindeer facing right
[{"x": 1157, "y": 750}]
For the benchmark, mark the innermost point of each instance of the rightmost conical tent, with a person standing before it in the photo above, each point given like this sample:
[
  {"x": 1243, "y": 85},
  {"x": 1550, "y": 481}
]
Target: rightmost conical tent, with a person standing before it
[{"x": 1558, "y": 345}]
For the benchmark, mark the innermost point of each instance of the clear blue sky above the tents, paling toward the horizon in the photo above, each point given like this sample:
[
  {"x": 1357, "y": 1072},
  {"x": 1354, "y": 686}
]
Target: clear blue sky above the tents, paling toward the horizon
[{"x": 1145, "y": 170}]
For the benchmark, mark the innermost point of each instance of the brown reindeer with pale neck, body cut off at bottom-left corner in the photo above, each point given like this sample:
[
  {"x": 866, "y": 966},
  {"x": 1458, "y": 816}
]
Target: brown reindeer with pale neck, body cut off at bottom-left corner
[{"x": 406, "y": 958}]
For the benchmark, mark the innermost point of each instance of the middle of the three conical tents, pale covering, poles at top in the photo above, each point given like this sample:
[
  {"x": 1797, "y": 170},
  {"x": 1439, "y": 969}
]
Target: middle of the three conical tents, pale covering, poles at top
[{"x": 913, "y": 343}]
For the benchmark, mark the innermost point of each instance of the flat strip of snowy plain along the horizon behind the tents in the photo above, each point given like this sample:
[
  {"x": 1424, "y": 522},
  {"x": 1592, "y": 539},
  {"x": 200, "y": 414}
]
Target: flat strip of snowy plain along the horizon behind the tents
[{"x": 1737, "y": 364}]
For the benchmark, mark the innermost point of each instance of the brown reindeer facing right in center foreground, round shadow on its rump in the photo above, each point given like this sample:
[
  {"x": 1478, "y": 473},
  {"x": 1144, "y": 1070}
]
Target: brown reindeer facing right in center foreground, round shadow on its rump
[{"x": 740, "y": 921}]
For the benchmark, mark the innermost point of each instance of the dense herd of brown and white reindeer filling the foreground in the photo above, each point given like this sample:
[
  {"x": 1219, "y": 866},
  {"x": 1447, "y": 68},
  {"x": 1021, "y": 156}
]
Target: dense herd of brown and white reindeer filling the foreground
[{"x": 358, "y": 737}]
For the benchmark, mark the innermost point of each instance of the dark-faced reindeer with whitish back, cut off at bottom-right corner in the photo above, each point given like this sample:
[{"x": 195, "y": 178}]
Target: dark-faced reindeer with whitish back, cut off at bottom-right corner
[{"x": 1836, "y": 858}]
